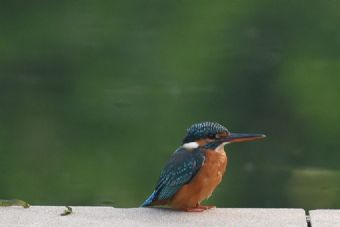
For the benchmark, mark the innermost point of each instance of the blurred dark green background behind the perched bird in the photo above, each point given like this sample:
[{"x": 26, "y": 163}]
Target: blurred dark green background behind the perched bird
[{"x": 95, "y": 96}]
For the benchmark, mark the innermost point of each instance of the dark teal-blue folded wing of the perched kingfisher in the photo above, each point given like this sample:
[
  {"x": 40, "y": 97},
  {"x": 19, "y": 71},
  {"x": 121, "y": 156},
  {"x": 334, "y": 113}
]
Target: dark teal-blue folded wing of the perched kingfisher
[{"x": 179, "y": 170}]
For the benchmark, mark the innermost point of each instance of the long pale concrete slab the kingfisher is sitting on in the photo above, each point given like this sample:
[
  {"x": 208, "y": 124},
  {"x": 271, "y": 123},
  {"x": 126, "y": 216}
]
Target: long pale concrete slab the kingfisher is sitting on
[{"x": 49, "y": 216}]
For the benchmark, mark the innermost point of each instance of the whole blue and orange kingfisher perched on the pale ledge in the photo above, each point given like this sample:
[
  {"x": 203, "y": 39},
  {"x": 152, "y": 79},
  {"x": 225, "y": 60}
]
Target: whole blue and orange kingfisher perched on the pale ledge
[{"x": 196, "y": 168}]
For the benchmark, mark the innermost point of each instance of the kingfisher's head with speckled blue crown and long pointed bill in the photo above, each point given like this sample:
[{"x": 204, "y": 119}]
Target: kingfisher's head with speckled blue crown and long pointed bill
[{"x": 212, "y": 135}]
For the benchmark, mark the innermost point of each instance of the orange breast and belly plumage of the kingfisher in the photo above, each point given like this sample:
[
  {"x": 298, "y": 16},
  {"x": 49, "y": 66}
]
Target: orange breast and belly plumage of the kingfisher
[{"x": 204, "y": 183}]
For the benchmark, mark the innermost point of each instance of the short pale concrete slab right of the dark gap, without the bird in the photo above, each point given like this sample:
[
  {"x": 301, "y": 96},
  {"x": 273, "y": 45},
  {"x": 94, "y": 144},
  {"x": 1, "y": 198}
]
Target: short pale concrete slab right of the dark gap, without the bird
[{"x": 325, "y": 218}]
